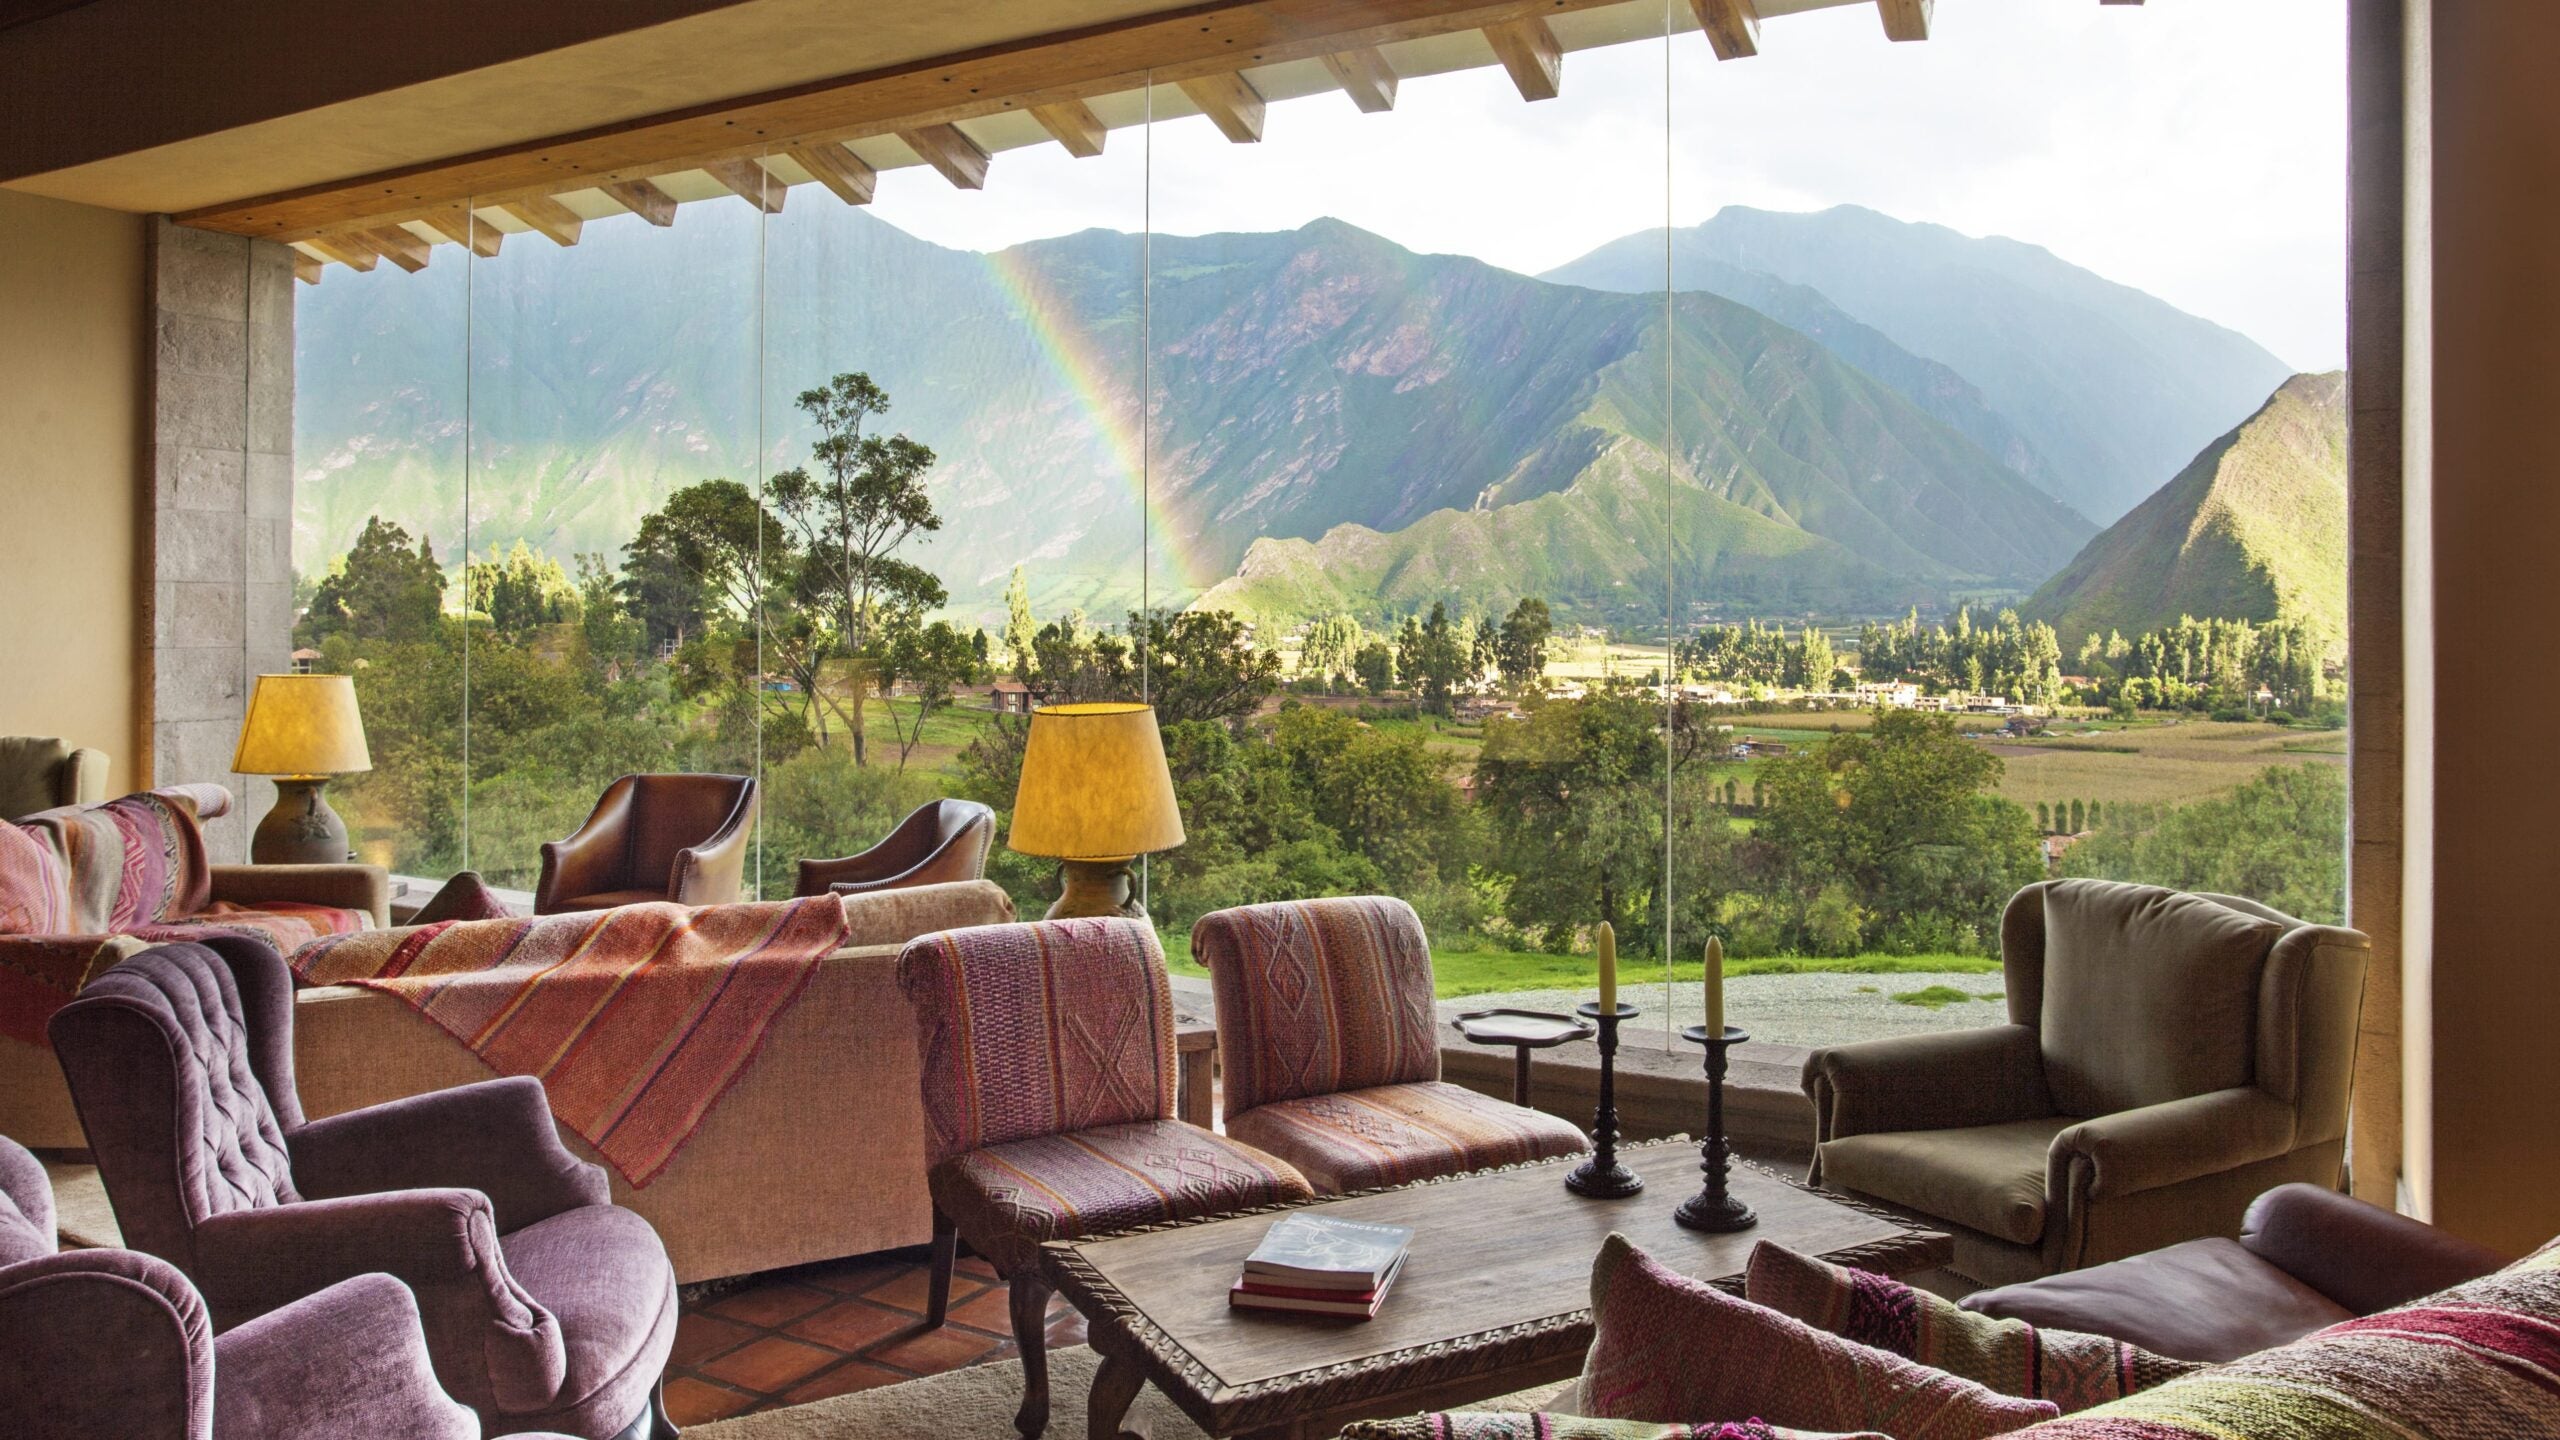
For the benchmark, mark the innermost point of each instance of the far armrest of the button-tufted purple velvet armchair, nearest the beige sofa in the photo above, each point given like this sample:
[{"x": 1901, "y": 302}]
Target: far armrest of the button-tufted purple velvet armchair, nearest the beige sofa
[{"x": 495, "y": 1136}]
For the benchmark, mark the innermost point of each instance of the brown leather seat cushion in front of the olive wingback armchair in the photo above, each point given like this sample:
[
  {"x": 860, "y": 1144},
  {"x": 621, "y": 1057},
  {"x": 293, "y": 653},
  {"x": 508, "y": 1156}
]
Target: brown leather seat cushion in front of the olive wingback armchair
[{"x": 2205, "y": 1300}]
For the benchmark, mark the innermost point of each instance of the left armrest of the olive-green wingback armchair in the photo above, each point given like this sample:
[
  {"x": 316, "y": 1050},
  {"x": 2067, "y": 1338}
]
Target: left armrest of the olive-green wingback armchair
[{"x": 1929, "y": 1083}]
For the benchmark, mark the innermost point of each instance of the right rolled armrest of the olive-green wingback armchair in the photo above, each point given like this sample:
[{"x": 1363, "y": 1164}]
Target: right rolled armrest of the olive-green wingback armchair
[{"x": 2170, "y": 1144}]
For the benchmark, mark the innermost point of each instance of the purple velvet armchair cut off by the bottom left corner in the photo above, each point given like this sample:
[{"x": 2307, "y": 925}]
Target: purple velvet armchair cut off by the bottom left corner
[{"x": 119, "y": 1344}]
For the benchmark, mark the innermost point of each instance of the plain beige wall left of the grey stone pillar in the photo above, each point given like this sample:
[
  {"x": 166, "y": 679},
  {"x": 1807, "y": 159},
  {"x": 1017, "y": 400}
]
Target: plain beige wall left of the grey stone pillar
[{"x": 73, "y": 483}]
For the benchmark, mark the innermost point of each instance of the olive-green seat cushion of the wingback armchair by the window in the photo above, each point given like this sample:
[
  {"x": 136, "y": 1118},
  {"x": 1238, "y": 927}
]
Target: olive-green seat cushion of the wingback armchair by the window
[{"x": 1983, "y": 1177}]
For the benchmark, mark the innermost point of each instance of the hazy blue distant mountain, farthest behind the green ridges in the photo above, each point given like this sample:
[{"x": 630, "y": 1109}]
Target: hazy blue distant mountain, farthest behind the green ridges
[{"x": 2113, "y": 388}]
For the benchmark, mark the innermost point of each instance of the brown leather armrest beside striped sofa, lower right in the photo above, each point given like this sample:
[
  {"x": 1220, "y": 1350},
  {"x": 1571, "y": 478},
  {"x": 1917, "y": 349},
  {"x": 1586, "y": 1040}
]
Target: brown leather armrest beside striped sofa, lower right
[{"x": 2359, "y": 1254}]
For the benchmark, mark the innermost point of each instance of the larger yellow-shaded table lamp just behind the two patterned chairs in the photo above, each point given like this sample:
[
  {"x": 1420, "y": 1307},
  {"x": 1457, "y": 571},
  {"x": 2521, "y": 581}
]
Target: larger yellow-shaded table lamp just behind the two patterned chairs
[{"x": 1094, "y": 796}]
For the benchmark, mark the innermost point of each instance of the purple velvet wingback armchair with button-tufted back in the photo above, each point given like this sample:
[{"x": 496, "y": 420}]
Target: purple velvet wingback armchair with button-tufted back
[{"x": 544, "y": 1305}]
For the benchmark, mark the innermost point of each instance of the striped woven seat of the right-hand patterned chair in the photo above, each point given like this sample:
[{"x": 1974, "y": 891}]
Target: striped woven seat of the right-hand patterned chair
[{"x": 1402, "y": 1134}]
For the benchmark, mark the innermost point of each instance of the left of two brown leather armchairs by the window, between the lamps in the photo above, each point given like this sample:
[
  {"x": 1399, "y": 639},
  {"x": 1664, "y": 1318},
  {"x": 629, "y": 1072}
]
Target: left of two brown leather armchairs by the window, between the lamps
[{"x": 654, "y": 837}]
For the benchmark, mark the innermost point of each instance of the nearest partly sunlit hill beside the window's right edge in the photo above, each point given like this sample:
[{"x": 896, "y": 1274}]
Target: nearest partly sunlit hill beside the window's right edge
[{"x": 2254, "y": 529}]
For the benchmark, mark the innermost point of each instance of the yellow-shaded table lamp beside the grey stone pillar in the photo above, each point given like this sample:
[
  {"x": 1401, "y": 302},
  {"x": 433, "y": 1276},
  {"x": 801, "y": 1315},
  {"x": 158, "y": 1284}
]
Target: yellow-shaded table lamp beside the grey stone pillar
[{"x": 301, "y": 729}]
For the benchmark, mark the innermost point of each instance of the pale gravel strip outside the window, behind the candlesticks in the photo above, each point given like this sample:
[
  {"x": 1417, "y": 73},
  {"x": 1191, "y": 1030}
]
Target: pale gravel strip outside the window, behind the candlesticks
[{"x": 1791, "y": 1011}]
